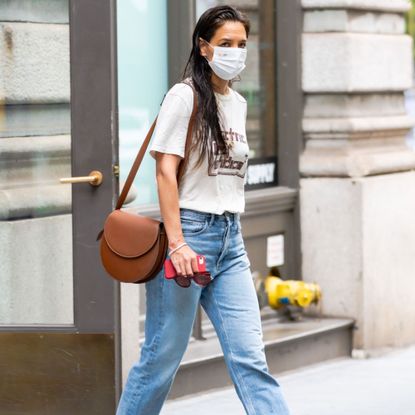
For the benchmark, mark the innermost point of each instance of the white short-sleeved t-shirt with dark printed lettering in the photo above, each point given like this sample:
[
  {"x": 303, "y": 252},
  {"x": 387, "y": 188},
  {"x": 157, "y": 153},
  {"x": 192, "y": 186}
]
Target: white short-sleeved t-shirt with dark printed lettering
[{"x": 222, "y": 187}]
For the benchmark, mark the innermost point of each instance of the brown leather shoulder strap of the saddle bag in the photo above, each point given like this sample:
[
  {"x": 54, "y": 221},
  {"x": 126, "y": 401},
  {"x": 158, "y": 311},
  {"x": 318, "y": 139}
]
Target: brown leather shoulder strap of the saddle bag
[{"x": 143, "y": 149}]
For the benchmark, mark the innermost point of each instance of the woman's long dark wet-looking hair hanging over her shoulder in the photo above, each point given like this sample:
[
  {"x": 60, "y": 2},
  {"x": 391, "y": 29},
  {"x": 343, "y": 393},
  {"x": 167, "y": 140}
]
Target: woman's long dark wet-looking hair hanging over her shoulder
[{"x": 208, "y": 126}]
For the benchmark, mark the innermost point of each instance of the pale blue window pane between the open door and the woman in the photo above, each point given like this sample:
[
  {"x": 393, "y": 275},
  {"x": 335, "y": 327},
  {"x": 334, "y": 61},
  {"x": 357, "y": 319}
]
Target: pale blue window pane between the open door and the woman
[{"x": 142, "y": 82}]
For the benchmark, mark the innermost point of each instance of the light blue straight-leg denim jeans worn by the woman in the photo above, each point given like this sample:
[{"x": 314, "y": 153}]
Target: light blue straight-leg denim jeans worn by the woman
[{"x": 231, "y": 303}]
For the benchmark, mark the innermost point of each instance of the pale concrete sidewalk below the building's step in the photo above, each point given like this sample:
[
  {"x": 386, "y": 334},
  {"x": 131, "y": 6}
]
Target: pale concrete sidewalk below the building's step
[{"x": 383, "y": 385}]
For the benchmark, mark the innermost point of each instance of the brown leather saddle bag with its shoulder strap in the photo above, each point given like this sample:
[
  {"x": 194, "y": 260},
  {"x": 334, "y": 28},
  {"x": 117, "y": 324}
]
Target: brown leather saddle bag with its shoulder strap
[{"x": 133, "y": 247}]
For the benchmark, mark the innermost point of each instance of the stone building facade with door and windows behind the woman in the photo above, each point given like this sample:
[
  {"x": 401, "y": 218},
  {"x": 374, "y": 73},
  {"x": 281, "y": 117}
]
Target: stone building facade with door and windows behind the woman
[{"x": 331, "y": 173}]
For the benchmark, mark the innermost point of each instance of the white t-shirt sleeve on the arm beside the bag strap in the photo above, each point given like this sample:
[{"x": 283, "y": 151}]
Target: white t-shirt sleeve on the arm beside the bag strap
[{"x": 171, "y": 128}]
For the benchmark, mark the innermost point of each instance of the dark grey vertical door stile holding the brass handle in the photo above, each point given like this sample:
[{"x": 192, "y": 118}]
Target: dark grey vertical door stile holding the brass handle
[{"x": 94, "y": 105}]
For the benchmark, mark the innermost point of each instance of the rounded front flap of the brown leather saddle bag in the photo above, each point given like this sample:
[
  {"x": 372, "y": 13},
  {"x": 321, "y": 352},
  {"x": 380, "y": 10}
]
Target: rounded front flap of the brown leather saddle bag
[{"x": 130, "y": 235}]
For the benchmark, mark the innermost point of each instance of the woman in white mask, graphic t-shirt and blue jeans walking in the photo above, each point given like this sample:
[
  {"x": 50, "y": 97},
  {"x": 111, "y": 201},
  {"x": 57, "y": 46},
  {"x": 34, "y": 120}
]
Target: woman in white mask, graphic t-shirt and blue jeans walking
[{"x": 202, "y": 217}]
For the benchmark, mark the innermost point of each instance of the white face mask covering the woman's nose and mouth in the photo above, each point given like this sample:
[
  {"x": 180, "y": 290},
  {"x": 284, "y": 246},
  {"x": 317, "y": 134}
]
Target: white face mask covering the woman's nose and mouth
[{"x": 227, "y": 63}]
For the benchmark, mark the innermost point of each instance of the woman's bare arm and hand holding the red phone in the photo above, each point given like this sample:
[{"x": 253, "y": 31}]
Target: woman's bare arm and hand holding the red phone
[{"x": 184, "y": 259}]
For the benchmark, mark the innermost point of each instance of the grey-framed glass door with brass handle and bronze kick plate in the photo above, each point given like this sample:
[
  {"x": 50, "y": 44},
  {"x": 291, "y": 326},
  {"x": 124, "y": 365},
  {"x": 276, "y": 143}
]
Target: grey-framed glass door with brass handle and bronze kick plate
[{"x": 58, "y": 134}]
